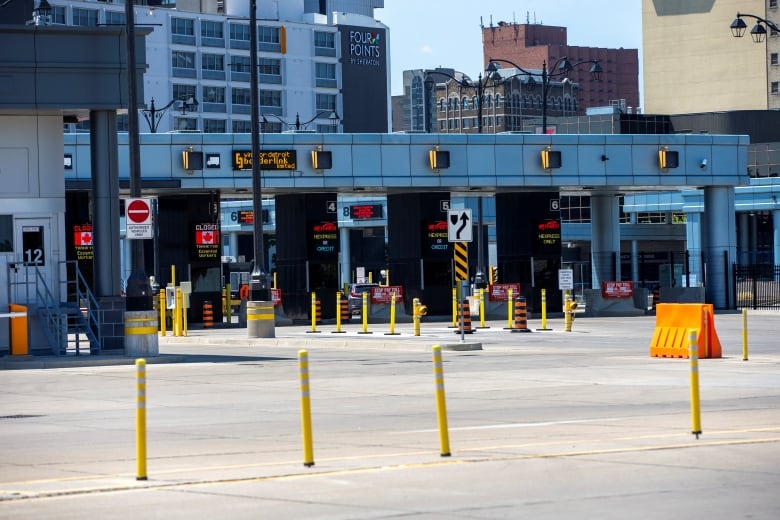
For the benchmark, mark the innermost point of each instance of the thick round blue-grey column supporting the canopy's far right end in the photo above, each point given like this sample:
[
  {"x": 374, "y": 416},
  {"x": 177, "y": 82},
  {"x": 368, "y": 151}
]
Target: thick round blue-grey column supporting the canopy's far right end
[{"x": 720, "y": 244}]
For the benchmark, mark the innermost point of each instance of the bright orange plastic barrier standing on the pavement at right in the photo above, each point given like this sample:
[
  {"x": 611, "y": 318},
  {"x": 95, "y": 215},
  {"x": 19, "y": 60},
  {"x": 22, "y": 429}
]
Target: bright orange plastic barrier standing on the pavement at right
[{"x": 672, "y": 323}]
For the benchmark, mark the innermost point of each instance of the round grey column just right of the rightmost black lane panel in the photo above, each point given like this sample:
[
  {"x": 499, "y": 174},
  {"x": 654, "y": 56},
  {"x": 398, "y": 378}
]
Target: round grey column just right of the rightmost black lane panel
[{"x": 605, "y": 238}]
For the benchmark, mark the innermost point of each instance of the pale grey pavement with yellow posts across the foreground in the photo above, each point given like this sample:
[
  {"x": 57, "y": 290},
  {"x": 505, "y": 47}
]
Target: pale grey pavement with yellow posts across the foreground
[{"x": 541, "y": 424}]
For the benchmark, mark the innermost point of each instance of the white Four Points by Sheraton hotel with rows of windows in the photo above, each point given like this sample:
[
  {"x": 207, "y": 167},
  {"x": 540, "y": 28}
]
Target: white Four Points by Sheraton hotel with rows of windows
[{"x": 323, "y": 64}]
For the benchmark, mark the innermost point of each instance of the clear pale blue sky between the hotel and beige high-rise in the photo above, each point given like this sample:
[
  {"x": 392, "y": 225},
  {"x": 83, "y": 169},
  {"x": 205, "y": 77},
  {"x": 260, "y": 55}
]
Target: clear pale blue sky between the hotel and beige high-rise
[{"x": 426, "y": 34}]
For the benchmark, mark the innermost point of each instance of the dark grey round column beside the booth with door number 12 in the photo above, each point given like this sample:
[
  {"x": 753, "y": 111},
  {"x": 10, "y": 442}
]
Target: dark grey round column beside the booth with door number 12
[{"x": 105, "y": 202}]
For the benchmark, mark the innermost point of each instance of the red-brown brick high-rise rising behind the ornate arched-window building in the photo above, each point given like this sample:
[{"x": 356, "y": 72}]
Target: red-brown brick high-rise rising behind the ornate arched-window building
[{"x": 530, "y": 45}]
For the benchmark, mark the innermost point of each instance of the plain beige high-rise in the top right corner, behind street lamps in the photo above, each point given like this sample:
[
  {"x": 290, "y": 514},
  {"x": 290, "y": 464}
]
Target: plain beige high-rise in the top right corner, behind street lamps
[{"x": 693, "y": 64}]
